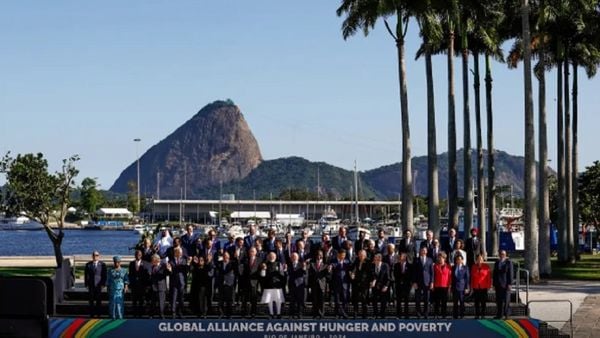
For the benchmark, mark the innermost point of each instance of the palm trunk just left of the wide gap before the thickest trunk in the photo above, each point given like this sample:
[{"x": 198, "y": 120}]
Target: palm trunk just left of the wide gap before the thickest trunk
[{"x": 493, "y": 226}]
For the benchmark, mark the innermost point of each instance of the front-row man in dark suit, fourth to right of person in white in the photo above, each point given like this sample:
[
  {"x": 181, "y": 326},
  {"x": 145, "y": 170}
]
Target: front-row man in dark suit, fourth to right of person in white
[{"x": 361, "y": 275}]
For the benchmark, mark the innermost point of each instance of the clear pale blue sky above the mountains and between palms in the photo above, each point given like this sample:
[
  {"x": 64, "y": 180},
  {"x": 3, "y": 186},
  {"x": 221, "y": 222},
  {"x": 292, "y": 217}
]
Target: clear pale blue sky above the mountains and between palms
[{"x": 87, "y": 77}]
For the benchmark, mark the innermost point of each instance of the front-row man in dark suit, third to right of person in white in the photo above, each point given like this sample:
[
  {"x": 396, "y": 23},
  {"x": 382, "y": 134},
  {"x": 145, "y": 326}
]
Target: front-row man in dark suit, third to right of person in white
[{"x": 340, "y": 282}]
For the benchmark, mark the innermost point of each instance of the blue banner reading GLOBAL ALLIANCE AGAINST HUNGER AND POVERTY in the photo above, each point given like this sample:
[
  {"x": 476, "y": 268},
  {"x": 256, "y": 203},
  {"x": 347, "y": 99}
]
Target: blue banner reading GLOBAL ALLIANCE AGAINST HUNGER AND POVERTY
[{"x": 80, "y": 327}]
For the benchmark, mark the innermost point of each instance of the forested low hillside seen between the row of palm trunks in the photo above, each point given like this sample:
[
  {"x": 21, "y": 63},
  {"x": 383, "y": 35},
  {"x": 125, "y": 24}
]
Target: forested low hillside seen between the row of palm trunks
[{"x": 387, "y": 181}]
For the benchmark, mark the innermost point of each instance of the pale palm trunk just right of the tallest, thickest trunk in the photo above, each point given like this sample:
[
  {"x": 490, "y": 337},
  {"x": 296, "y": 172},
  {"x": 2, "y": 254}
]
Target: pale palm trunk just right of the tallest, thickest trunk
[{"x": 543, "y": 200}]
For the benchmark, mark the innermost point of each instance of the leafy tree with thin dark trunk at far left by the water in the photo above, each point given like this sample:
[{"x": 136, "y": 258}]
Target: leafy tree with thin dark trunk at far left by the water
[{"x": 31, "y": 190}]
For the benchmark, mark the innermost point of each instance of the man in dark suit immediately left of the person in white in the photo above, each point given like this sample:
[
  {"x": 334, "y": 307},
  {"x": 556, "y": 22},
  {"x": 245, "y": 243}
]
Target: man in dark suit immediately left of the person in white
[{"x": 249, "y": 281}]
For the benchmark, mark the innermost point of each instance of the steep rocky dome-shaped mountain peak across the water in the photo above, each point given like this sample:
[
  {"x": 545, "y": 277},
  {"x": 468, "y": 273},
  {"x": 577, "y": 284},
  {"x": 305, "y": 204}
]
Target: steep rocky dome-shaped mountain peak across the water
[{"x": 215, "y": 145}]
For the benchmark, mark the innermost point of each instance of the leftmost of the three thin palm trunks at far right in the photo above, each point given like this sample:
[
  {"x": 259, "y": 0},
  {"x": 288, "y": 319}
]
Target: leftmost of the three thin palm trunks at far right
[{"x": 563, "y": 252}]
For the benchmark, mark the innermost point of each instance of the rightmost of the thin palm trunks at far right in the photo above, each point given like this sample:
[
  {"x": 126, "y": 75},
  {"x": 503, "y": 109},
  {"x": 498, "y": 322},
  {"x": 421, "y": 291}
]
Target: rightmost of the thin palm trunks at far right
[{"x": 574, "y": 169}]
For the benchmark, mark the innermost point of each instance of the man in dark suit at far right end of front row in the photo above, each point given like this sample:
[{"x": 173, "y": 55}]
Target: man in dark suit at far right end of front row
[{"x": 502, "y": 277}]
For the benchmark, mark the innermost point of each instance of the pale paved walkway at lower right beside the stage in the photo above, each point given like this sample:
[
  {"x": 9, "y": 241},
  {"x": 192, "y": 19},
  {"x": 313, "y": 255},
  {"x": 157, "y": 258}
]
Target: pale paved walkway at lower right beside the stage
[{"x": 548, "y": 302}]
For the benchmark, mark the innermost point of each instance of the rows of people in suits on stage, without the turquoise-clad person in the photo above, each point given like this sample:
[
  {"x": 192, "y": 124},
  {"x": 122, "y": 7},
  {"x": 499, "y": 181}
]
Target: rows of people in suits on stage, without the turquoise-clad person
[{"x": 365, "y": 273}]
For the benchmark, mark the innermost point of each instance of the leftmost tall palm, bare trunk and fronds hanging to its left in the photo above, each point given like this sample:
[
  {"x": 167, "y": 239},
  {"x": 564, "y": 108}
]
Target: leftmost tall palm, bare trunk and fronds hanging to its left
[{"x": 363, "y": 15}]
